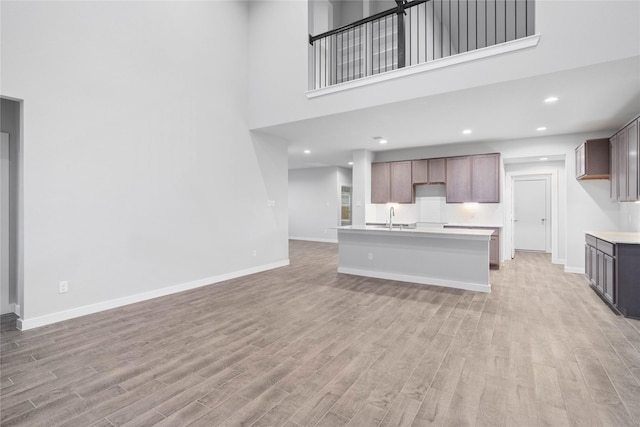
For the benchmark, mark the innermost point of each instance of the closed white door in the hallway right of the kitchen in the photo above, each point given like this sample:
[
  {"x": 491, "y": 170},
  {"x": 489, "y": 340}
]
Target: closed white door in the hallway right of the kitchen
[{"x": 530, "y": 214}]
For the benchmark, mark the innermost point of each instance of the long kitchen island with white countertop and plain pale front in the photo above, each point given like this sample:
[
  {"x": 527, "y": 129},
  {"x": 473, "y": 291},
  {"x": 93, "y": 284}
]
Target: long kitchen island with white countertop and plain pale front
[{"x": 452, "y": 257}]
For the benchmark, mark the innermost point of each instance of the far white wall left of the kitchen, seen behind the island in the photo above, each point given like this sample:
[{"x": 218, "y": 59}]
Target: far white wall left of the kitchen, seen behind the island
[{"x": 314, "y": 202}]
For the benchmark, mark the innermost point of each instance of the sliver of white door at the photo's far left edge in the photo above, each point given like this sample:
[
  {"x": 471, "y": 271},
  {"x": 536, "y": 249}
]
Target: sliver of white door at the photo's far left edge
[{"x": 5, "y": 307}]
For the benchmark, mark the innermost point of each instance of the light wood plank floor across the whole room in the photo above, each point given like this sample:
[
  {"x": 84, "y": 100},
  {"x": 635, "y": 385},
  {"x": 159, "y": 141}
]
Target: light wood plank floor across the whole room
[{"x": 303, "y": 346}]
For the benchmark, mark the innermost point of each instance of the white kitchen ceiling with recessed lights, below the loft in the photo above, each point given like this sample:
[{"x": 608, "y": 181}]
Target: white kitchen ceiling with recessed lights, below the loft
[{"x": 602, "y": 97}]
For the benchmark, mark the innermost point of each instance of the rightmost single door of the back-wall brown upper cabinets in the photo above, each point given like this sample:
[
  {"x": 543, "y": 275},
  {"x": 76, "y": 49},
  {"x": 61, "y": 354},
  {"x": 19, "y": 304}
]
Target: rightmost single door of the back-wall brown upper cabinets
[{"x": 485, "y": 178}]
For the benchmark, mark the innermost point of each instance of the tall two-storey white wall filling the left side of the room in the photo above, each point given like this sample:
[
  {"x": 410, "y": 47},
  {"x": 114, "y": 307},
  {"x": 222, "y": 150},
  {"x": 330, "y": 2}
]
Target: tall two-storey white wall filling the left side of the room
[{"x": 140, "y": 173}]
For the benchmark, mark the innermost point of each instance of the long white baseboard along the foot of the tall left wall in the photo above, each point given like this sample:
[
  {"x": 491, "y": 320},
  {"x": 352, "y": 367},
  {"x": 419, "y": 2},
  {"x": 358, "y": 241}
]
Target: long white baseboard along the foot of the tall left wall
[{"x": 25, "y": 324}]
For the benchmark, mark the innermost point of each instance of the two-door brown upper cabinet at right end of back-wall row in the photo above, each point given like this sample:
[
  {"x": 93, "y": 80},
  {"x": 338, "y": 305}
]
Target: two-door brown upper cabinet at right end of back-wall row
[{"x": 473, "y": 179}]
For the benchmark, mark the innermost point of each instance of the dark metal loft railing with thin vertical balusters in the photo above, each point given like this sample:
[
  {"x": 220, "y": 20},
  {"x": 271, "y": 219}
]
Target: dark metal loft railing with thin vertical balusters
[{"x": 415, "y": 32}]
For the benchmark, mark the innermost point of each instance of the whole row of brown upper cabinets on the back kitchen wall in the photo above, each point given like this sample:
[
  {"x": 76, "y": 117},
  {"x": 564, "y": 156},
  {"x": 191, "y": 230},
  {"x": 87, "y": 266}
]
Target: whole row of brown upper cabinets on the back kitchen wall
[{"x": 467, "y": 178}]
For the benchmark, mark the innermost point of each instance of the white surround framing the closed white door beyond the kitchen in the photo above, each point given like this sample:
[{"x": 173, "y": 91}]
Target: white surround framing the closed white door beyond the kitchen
[{"x": 550, "y": 175}]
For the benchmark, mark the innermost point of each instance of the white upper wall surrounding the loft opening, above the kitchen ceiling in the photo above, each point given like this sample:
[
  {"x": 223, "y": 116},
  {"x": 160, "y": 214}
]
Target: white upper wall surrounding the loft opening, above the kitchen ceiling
[{"x": 599, "y": 31}]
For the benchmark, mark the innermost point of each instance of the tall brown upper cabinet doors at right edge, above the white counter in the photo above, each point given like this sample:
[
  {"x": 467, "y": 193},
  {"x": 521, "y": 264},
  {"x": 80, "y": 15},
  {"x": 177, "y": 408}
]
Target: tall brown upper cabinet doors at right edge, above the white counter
[{"x": 624, "y": 163}]
